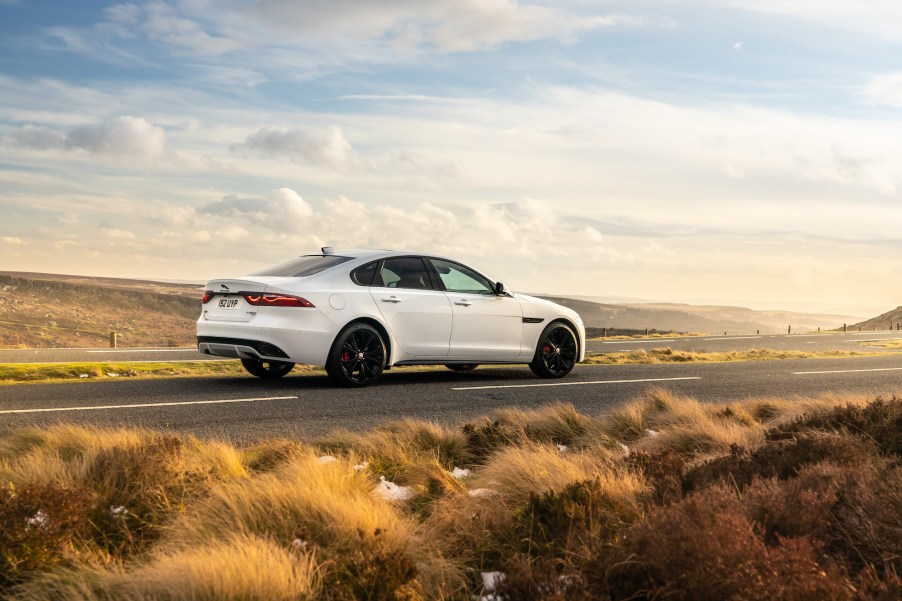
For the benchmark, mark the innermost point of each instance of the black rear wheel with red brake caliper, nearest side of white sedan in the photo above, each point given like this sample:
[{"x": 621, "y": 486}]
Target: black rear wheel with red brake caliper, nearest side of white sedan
[{"x": 357, "y": 357}]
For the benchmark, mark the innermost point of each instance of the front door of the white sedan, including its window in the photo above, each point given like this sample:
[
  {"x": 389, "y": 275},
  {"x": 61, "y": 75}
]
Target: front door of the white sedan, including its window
[{"x": 485, "y": 325}]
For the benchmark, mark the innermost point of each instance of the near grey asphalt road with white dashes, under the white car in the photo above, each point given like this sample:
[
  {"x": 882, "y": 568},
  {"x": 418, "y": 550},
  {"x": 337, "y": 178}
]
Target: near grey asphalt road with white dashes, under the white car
[{"x": 244, "y": 409}]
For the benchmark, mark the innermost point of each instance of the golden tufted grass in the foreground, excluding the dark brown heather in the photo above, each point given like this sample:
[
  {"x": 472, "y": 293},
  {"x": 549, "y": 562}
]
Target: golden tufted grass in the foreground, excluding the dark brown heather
[{"x": 274, "y": 521}]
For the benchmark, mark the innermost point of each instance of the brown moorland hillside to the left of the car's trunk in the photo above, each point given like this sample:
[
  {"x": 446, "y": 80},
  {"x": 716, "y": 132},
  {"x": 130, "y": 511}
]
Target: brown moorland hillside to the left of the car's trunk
[{"x": 39, "y": 310}]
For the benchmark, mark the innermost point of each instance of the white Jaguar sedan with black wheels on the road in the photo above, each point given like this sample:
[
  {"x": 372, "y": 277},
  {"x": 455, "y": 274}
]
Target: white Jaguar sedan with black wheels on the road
[{"x": 361, "y": 312}]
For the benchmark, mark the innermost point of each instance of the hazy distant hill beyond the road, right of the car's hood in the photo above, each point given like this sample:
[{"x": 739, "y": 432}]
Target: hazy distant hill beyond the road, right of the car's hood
[{"x": 698, "y": 318}]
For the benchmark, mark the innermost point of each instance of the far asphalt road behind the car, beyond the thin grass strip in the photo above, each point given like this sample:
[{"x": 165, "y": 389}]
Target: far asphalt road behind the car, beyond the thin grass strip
[{"x": 799, "y": 342}]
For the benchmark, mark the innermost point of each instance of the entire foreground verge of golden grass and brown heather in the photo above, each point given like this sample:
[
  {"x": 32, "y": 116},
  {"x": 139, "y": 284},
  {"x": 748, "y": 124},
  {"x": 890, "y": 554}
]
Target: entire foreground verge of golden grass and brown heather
[{"x": 664, "y": 497}]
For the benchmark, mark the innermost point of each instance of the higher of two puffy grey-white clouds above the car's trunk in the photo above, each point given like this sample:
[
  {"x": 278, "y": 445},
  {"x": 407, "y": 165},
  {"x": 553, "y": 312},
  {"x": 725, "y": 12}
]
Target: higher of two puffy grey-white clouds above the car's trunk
[{"x": 324, "y": 146}]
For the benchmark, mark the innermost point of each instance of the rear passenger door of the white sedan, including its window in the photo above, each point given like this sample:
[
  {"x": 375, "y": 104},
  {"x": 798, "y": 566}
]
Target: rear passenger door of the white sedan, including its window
[{"x": 416, "y": 312}]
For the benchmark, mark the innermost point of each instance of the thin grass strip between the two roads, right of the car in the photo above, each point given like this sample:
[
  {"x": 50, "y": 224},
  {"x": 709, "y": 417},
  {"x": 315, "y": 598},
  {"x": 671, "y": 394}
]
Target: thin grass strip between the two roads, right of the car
[{"x": 668, "y": 355}]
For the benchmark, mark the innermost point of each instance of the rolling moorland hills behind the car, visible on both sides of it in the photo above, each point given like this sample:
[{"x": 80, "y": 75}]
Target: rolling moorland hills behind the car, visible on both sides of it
[{"x": 48, "y": 310}]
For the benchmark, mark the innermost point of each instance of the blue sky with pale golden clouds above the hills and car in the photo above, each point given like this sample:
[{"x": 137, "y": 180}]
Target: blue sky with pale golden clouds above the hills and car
[{"x": 718, "y": 151}]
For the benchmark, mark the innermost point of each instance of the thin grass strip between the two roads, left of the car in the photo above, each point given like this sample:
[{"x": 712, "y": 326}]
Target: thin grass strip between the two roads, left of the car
[{"x": 17, "y": 373}]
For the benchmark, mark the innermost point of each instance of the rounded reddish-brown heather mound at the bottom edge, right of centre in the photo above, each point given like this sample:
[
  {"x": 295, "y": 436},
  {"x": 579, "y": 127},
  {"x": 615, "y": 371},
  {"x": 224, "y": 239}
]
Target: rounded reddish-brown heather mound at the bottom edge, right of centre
[{"x": 706, "y": 547}]
